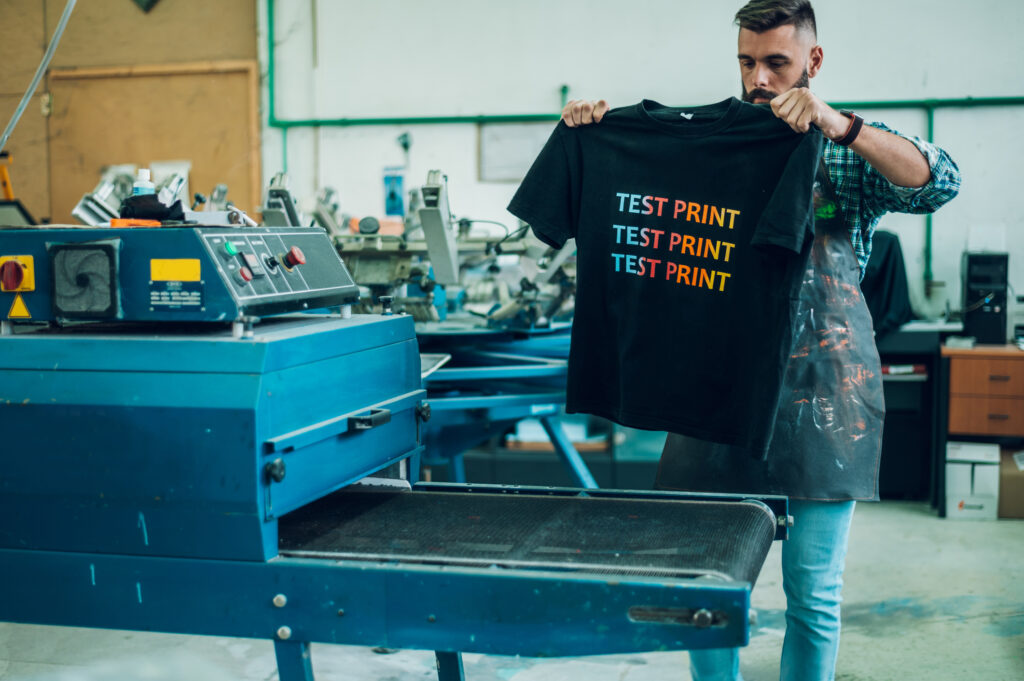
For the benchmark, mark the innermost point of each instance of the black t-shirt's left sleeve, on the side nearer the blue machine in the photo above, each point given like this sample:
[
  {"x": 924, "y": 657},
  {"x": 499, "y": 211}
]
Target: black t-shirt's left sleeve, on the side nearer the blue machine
[{"x": 548, "y": 200}]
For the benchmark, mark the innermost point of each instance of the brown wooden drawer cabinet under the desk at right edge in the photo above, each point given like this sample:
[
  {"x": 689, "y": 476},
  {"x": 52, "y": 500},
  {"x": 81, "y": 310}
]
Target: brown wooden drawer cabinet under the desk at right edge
[{"x": 987, "y": 391}]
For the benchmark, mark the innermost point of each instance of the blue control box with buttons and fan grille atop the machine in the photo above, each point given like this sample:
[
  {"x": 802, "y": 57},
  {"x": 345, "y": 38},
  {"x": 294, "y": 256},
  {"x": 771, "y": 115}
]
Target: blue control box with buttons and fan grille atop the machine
[{"x": 201, "y": 274}]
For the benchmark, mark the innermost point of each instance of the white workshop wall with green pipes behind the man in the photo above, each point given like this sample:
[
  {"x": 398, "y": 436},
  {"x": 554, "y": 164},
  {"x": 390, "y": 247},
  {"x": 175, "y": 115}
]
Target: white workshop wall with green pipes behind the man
[{"x": 351, "y": 59}]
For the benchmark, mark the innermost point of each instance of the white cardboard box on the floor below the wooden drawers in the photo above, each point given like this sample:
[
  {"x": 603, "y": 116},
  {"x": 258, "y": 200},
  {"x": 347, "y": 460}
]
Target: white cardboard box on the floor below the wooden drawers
[{"x": 972, "y": 481}]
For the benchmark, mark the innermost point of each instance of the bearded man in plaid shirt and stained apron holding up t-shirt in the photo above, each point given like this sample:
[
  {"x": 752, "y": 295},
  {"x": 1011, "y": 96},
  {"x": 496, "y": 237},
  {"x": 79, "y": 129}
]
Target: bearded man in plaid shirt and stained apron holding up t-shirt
[{"x": 868, "y": 171}]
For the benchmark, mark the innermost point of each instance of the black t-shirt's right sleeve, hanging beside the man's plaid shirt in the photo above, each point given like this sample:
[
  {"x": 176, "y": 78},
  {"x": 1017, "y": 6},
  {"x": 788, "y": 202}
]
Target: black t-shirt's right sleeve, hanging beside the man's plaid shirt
[{"x": 789, "y": 219}]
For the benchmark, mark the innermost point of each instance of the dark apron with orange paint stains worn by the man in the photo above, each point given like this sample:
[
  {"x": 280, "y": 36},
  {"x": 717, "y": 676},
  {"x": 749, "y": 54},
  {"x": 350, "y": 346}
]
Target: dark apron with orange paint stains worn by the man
[{"x": 828, "y": 439}]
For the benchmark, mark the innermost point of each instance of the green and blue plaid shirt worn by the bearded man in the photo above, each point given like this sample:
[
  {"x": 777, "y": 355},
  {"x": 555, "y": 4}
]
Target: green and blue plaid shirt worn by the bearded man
[{"x": 865, "y": 194}]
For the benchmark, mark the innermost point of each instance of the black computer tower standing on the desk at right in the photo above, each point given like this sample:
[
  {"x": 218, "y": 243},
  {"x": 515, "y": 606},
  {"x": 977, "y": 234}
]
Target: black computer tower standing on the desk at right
[{"x": 985, "y": 278}]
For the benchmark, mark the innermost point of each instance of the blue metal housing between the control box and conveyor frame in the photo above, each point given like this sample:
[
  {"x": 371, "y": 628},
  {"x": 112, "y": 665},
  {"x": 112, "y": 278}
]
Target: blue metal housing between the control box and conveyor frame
[{"x": 146, "y": 445}]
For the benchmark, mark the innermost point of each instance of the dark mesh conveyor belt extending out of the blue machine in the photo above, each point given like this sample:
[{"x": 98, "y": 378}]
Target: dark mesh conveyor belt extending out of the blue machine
[{"x": 621, "y": 536}]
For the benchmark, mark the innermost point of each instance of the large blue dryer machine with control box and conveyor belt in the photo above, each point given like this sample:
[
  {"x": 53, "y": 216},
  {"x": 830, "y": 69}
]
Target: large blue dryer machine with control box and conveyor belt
[{"x": 189, "y": 449}]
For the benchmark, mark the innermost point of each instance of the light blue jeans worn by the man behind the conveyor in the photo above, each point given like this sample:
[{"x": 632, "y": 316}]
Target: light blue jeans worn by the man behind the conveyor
[{"x": 813, "y": 579}]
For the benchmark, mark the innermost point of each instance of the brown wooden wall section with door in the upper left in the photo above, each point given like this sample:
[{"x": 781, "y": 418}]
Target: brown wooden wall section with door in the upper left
[{"x": 129, "y": 124}]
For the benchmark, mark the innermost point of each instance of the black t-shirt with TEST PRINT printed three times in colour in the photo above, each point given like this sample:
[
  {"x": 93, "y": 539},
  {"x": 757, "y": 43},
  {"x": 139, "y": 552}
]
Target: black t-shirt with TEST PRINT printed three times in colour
[{"x": 693, "y": 230}]
